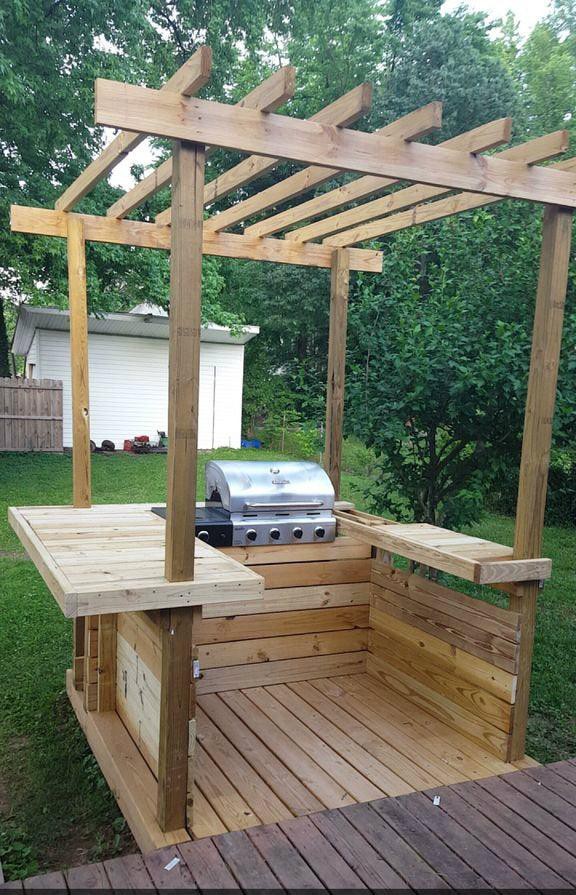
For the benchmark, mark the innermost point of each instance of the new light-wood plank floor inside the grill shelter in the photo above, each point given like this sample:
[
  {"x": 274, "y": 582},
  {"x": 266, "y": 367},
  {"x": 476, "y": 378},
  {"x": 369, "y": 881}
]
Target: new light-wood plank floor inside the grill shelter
[{"x": 271, "y": 753}]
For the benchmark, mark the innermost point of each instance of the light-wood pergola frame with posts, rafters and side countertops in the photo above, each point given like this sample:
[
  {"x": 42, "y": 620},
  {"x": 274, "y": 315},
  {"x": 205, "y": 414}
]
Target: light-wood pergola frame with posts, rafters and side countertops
[{"x": 442, "y": 180}]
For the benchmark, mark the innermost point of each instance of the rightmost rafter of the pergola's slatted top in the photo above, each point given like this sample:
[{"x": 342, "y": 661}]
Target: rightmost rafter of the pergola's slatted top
[{"x": 433, "y": 211}]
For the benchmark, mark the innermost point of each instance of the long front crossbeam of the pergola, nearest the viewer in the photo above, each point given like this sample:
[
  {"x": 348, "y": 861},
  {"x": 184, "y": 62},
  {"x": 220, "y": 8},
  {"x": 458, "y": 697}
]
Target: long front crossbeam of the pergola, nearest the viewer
[{"x": 166, "y": 115}]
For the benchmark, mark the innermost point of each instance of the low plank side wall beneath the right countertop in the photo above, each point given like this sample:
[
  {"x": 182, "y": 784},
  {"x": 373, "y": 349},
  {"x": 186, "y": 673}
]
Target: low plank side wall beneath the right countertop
[{"x": 451, "y": 654}]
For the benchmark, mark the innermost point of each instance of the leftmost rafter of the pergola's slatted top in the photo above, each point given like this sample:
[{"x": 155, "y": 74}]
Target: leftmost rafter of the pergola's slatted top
[{"x": 189, "y": 78}]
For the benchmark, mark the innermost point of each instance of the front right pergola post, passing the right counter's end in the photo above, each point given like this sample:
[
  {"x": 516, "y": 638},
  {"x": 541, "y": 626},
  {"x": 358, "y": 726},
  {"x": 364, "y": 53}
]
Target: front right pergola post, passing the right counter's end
[{"x": 540, "y": 401}]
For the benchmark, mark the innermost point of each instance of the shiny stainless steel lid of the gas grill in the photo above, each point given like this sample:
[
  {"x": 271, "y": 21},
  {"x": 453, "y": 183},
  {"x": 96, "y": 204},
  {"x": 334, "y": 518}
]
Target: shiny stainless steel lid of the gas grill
[{"x": 263, "y": 486}]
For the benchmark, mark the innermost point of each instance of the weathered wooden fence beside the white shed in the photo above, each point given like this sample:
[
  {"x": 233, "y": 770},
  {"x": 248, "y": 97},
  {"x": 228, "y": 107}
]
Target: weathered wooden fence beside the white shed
[{"x": 30, "y": 415}]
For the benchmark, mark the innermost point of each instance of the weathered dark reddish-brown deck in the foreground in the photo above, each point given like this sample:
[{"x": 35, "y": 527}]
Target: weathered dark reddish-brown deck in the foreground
[{"x": 517, "y": 831}]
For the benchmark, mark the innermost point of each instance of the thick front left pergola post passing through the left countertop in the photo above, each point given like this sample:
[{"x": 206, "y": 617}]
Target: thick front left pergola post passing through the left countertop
[{"x": 177, "y": 694}]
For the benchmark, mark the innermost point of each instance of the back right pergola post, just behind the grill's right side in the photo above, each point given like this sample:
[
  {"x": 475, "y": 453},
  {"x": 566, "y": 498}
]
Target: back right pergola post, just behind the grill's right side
[{"x": 339, "y": 288}]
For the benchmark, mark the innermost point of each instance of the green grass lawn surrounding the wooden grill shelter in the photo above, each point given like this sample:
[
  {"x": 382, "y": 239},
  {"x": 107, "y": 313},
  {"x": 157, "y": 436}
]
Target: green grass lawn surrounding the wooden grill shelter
[{"x": 55, "y": 807}]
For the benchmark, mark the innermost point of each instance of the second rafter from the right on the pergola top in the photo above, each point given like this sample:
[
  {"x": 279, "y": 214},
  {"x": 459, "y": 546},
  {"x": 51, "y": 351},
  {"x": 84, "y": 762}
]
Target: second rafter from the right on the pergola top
[{"x": 532, "y": 152}]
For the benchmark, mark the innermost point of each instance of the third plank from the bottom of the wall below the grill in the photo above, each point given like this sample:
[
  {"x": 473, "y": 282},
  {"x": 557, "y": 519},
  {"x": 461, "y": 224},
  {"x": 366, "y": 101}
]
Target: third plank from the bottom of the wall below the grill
[{"x": 270, "y": 624}]
